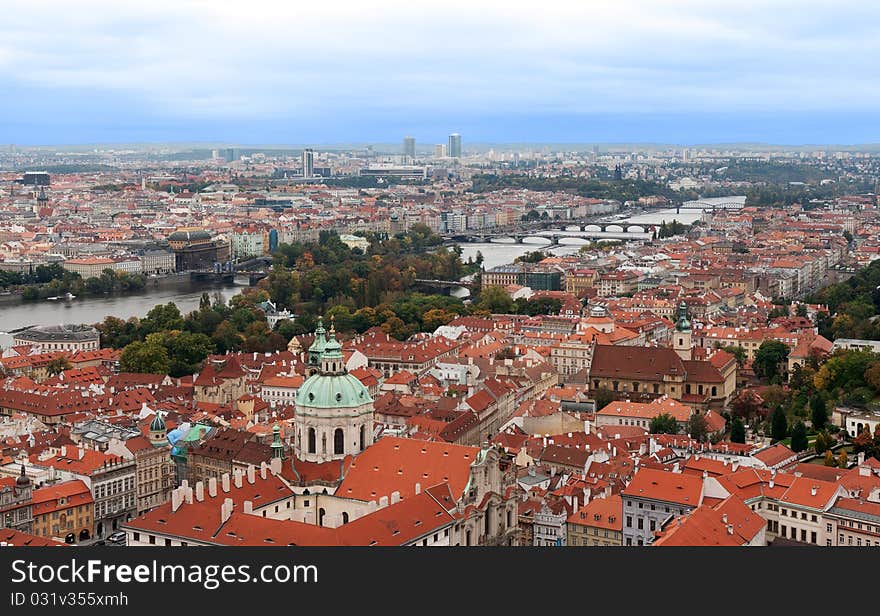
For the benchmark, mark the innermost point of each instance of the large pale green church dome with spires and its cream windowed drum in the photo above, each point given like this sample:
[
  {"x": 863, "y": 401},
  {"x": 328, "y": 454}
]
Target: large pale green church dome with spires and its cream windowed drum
[{"x": 334, "y": 410}]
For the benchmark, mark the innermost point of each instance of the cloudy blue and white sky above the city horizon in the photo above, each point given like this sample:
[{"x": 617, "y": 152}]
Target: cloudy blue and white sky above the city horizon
[{"x": 293, "y": 72}]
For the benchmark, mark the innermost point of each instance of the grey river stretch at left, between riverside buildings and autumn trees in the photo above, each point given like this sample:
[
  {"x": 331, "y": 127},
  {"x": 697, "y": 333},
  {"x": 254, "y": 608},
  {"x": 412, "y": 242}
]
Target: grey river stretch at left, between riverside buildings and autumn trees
[{"x": 184, "y": 293}]
